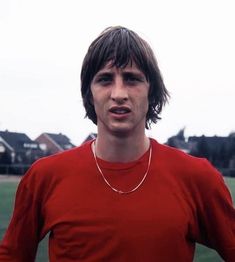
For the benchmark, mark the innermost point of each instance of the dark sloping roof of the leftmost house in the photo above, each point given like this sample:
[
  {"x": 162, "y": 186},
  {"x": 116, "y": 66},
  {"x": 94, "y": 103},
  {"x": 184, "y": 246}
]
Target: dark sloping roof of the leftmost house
[{"x": 17, "y": 141}]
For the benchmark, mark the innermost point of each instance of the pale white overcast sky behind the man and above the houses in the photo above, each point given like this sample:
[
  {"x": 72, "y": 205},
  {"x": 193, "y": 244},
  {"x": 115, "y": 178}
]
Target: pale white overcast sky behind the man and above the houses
[{"x": 43, "y": 43}]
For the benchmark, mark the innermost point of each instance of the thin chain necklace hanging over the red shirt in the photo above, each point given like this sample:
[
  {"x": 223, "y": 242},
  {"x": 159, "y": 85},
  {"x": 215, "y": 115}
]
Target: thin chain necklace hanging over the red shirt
[{"x": 107, "y": 182}]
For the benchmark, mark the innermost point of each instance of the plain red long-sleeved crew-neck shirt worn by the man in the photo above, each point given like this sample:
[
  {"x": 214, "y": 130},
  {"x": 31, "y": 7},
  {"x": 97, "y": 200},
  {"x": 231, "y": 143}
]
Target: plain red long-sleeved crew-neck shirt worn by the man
[{"x": 182, "y": 201}]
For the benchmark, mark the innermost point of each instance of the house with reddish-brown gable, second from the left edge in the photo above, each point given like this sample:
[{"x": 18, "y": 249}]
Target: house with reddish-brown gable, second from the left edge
[{"x": 54, "y": 143}]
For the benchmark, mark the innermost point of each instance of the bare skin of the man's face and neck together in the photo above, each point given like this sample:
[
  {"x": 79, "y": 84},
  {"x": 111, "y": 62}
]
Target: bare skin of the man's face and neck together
[{"x": 120, "y": 98}]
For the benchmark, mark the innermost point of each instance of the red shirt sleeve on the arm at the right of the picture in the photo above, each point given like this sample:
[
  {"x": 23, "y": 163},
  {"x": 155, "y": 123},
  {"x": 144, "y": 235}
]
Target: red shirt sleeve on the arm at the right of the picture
[{"x": 216, "y": 215}]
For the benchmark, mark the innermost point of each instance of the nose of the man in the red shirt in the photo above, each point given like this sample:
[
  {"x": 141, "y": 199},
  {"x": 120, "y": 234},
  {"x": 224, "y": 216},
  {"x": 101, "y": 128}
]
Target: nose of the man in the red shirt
[{"x": 119, "y": 92}]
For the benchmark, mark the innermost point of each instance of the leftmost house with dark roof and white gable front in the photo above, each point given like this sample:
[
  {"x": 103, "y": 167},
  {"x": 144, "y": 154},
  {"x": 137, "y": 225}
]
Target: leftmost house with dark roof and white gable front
[{"x": 18, "y": 148}]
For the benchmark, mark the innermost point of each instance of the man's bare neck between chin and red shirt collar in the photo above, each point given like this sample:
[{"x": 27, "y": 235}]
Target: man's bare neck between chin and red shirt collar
[{"x": 121, "y": 149}]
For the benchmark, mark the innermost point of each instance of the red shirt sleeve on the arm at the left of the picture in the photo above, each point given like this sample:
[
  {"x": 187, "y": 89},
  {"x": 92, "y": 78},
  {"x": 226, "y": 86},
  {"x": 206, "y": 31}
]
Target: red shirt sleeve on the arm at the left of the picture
[{"x": 23, "y": 234}]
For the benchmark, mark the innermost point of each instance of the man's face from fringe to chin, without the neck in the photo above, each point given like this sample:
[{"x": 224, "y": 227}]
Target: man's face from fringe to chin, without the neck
[{"x": 120, "y": 98}]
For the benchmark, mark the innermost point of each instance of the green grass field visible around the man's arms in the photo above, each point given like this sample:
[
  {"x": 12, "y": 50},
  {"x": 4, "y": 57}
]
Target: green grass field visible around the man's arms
[{"x": 7, "y": 193}]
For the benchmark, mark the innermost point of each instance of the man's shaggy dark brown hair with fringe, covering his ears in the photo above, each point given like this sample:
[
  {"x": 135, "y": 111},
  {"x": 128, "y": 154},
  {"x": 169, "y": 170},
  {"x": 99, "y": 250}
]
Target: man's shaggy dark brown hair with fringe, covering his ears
[{"x": 121, "y": 46}]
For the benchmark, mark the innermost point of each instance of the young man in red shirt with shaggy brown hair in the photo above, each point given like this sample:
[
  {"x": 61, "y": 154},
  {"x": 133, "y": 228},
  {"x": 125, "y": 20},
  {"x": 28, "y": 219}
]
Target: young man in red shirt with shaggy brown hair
[{"x": 123, "y": 196}]
